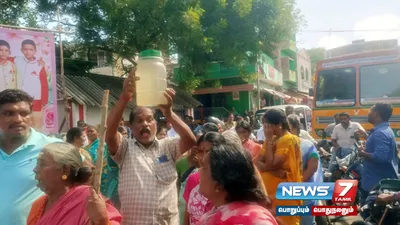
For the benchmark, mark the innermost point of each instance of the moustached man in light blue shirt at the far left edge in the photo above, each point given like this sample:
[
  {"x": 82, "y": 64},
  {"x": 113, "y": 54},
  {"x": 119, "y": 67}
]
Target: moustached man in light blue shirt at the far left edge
[{"x": 19, "y": 148}]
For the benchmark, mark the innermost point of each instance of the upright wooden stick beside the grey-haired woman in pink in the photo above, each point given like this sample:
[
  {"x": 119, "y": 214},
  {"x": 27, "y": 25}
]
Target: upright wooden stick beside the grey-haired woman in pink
[{"x": 100, "y": 149}]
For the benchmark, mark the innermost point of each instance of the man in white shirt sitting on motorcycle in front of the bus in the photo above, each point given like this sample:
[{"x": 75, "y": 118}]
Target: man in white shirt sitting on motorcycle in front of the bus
[{"x": 343, "y": 138}]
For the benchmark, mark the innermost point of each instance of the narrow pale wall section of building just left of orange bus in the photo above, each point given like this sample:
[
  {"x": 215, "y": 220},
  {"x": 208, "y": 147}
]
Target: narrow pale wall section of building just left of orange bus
[{"x": 304, "y": 75}]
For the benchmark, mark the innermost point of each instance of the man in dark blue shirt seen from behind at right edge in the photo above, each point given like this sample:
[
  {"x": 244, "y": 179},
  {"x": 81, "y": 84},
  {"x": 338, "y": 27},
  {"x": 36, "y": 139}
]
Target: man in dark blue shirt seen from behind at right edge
[{"x": 380, "y": 153}]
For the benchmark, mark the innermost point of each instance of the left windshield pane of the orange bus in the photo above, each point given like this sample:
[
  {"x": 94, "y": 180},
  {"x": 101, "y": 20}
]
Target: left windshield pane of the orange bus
[{"x": 336, "y": 87}]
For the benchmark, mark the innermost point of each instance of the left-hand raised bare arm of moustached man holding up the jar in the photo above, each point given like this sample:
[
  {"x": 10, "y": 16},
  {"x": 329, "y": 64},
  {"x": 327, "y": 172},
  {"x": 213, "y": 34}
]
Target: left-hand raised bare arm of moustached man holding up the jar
[{"x": 113, "y": 139}]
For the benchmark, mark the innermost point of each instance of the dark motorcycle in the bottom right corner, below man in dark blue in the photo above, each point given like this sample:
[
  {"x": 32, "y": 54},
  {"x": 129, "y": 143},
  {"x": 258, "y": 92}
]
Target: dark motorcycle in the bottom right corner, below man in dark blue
[{"x": 388, "y": 214}]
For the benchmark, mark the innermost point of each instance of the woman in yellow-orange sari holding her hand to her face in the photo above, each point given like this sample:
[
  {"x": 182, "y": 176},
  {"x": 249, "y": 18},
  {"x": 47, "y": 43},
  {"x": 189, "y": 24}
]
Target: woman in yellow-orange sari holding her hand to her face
[{"x": 281, "y": 159}]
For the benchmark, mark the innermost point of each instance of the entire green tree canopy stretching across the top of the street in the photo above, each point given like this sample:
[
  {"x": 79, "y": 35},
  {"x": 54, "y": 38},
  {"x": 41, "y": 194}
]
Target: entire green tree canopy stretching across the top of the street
[{"x": 199, "y": 31}]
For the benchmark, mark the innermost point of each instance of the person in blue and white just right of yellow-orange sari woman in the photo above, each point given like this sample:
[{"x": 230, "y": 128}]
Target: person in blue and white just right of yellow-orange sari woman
[{"x": 312, "y": 171}]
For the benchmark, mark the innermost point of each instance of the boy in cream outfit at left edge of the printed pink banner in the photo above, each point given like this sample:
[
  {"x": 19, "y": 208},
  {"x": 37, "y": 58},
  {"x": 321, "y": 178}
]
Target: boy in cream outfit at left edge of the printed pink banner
[{"x": 8, "y": 71}]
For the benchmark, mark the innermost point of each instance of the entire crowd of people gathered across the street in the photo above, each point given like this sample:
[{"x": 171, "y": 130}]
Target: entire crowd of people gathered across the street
[{"x": 213, "y": 173}]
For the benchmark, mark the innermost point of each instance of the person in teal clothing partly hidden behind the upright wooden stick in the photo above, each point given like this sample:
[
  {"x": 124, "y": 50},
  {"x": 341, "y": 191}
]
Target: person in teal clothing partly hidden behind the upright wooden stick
[{"x": 109, "y": 178}]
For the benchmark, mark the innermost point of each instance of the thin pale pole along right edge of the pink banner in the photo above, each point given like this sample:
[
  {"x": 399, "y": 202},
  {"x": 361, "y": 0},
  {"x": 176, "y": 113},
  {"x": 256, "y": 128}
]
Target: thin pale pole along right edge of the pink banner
[{"x": 63, "y": 85}]
